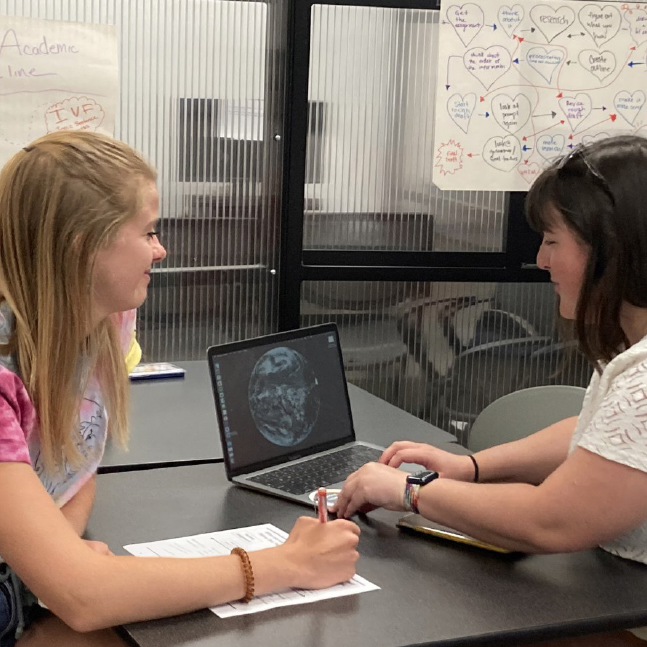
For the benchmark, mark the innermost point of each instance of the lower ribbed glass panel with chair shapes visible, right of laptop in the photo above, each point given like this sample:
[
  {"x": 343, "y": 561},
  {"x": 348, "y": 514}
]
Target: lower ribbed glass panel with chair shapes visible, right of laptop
[{"x": 444, "y": 351}]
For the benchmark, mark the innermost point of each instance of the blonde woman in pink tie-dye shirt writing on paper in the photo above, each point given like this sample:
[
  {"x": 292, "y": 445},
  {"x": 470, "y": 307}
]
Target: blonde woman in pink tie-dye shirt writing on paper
[{"x": 78, "y": 213}]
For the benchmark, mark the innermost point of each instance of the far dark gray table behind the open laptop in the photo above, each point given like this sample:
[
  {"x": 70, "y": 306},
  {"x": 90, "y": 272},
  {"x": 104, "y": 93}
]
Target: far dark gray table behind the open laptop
[{"x": 174, "y": 422}]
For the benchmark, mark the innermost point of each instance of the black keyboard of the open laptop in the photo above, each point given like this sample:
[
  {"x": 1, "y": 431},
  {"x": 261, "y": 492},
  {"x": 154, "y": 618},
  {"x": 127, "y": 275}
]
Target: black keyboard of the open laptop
[{"x": 318, "y": 472}]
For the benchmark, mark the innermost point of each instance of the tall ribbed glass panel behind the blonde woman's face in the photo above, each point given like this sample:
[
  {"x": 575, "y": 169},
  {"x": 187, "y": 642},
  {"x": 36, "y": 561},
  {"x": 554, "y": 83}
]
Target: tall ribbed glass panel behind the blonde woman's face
[{"x": 200, "y": 95}]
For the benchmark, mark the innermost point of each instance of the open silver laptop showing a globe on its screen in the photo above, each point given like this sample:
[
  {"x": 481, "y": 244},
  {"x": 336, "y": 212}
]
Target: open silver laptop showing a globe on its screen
[{"x": 284, "y": 413}]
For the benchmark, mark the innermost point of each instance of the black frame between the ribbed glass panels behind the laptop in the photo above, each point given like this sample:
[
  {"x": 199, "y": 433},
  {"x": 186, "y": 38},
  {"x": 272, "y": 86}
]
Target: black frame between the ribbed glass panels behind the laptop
[{"x": 516, "y": 264}]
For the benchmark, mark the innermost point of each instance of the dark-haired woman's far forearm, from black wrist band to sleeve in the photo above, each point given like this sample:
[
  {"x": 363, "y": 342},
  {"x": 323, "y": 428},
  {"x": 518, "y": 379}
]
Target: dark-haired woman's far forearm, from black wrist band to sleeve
[{"x": 529, "y": 460}]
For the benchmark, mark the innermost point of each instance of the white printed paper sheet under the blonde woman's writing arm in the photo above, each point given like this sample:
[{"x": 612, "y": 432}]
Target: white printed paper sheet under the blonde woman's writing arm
[{"x": 250, "y": 538}]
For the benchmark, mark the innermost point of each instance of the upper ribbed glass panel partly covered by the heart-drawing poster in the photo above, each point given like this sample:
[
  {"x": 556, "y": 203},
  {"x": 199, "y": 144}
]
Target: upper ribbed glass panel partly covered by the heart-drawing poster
[{"x": 370, "y": 141}]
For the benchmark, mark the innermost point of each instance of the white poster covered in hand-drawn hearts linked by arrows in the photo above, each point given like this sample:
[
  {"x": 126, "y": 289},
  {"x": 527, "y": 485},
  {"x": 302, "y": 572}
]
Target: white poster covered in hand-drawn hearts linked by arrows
[{"x": 520, "y": 84}]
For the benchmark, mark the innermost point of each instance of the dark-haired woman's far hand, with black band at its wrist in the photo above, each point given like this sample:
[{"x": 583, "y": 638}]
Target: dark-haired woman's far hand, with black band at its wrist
[{"x": 448, "y": 465}]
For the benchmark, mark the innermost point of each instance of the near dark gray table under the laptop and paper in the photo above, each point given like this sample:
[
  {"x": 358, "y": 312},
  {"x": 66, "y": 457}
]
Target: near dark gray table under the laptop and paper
[{"x": 433, "y": 593}]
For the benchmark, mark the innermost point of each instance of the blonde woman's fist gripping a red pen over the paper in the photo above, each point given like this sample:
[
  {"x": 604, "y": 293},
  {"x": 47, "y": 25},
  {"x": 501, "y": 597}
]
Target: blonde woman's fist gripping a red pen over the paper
[{"x": 322, "y": 554}]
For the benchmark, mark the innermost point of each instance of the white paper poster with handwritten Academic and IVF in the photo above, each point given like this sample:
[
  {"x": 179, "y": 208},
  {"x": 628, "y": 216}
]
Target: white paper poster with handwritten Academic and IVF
[{"x": 54, "y": 75}]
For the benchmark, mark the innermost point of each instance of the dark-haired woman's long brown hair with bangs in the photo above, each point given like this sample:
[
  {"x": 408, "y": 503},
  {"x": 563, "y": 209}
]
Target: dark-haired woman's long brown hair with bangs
[{"x": 600, "y": 192}]
